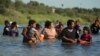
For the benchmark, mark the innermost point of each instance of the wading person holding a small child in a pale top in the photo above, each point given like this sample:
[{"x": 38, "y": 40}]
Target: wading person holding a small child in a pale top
[{"x": 30, "y": 33}]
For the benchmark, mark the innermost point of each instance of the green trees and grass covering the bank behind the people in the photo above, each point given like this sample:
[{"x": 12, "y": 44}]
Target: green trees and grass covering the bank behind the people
[{"x": 21, "y": 12}]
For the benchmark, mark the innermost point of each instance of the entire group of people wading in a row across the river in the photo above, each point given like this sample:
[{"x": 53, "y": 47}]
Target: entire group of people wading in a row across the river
[{"x": 68, "y": 35}]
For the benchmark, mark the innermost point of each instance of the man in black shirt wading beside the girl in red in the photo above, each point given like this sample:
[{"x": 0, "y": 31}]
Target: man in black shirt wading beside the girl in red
[{"x": 69, "y": 34}]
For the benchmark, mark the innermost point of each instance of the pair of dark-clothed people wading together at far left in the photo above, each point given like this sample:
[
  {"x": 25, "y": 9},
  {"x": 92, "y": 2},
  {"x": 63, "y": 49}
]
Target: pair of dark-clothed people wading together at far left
[{"x": 10, "y": 29}]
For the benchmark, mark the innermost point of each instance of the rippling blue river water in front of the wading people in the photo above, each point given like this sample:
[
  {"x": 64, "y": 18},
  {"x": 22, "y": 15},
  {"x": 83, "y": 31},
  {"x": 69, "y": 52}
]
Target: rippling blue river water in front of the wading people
[{"x": 10, "y": 46}]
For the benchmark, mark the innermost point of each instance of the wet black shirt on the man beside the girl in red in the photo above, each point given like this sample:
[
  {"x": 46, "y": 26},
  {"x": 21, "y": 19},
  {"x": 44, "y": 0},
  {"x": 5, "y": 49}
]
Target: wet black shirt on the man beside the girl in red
[{"x": 67, "y": 34}]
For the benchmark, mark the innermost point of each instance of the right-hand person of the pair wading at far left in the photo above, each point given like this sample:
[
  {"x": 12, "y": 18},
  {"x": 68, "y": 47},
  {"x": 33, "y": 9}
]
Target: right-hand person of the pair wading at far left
[{"x": 14, "y": 30}]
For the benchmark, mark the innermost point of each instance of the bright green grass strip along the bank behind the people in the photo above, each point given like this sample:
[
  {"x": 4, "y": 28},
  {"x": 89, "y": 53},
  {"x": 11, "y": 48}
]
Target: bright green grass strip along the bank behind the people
[{"x": 22, "y": 18}]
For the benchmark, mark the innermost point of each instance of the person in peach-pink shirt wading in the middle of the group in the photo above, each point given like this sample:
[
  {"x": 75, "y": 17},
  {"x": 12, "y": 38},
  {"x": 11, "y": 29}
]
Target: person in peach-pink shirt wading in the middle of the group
[{"x": 49, "y": 30}]
